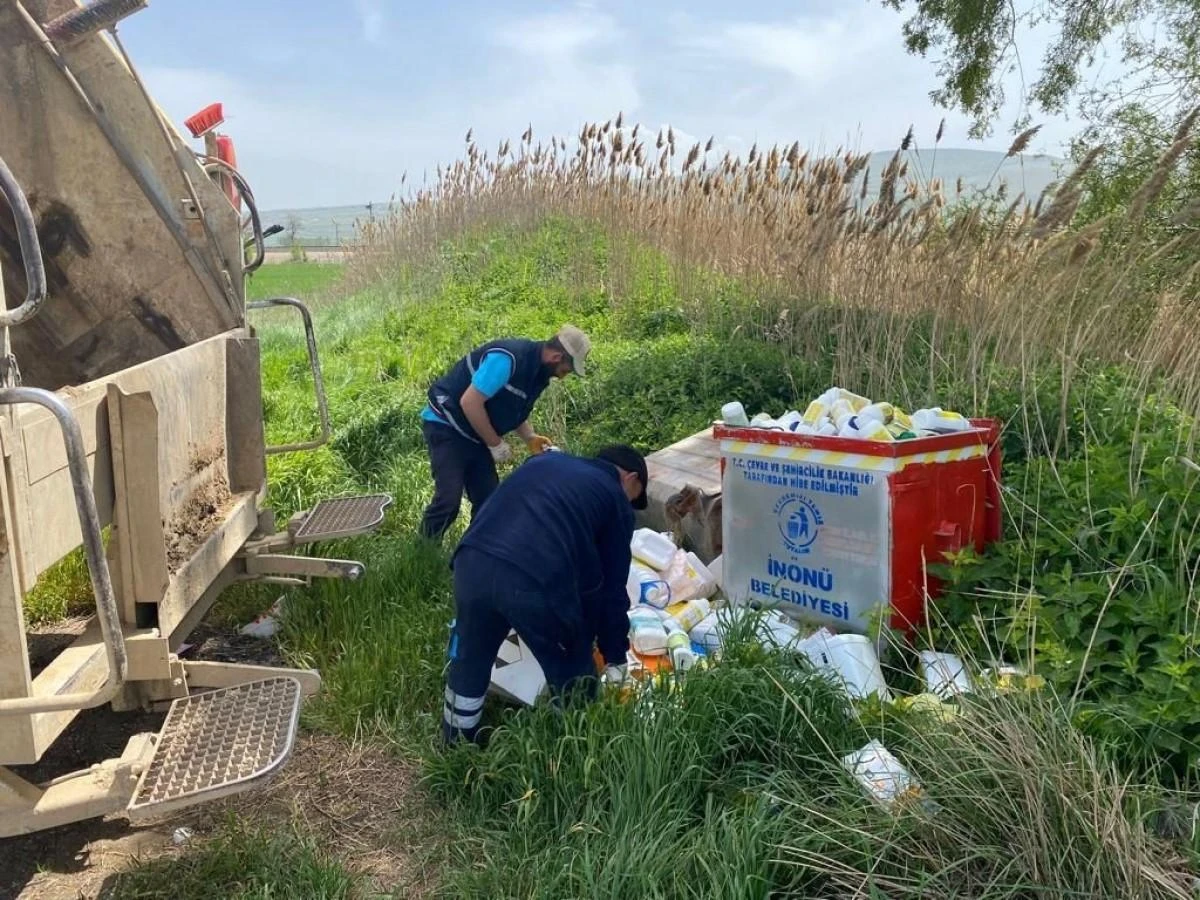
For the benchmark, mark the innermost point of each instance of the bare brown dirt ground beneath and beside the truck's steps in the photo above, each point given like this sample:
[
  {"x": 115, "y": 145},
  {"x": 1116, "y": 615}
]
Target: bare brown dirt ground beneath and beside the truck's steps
[{"x": 361, "y": 802}]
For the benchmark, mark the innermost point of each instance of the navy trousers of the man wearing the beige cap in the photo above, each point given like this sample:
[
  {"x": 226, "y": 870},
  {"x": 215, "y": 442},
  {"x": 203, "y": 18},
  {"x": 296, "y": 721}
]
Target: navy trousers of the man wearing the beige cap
[{"x": 457, "y": 465}]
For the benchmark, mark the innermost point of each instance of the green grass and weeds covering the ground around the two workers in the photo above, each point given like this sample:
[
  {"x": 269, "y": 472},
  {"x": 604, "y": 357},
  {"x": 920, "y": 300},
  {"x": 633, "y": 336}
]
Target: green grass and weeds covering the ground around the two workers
[{"x": 730, "y": 787}]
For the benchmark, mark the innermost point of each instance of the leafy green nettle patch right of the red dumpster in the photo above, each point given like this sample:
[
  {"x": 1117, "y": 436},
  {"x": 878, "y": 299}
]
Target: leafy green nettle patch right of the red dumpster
[{"x": 1094, "y": 586}]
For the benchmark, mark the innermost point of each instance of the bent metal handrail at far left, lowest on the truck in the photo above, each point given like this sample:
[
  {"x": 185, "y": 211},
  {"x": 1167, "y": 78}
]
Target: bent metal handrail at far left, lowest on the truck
[{"x": 98, "y": 566}]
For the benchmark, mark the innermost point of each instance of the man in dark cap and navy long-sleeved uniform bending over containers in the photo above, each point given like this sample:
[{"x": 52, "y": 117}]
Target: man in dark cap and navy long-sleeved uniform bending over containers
[{"x": 549, "y": 557}]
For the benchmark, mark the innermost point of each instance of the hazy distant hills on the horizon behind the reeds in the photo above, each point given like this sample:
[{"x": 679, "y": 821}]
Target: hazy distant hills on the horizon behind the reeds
[{"x": 980, "y": 171}]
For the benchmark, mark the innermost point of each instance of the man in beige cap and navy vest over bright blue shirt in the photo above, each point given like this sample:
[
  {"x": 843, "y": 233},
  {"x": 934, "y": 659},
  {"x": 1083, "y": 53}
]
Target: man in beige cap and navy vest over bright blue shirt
[{"x": 487, "y": 395}]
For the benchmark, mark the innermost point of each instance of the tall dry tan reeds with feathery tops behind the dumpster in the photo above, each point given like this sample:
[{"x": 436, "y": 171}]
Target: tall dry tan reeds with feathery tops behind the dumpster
[{"x": 977, "y": 285}]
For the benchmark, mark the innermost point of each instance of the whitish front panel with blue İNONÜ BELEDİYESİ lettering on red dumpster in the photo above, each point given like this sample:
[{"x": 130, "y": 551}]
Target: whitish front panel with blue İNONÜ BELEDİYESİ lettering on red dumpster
[{"x": 811, "y": 537}]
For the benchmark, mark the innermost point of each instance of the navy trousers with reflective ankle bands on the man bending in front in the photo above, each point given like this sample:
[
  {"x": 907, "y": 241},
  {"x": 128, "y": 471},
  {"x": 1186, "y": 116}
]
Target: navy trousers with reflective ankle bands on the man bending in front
[{"x": 493, "y": 597}]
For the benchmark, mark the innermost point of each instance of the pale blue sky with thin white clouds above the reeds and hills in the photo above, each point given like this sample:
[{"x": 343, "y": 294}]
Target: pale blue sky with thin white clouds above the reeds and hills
[{"x": 329, "y": 104}]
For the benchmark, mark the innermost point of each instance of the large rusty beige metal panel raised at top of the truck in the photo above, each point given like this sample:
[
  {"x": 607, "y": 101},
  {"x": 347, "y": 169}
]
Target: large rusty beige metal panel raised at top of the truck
[{"x": 122, "y": 253}]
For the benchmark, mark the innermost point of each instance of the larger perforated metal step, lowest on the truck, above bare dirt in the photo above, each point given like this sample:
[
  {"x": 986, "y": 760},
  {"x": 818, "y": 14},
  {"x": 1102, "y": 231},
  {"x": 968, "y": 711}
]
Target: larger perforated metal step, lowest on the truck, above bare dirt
[{"x": 219, "y": 743}]
